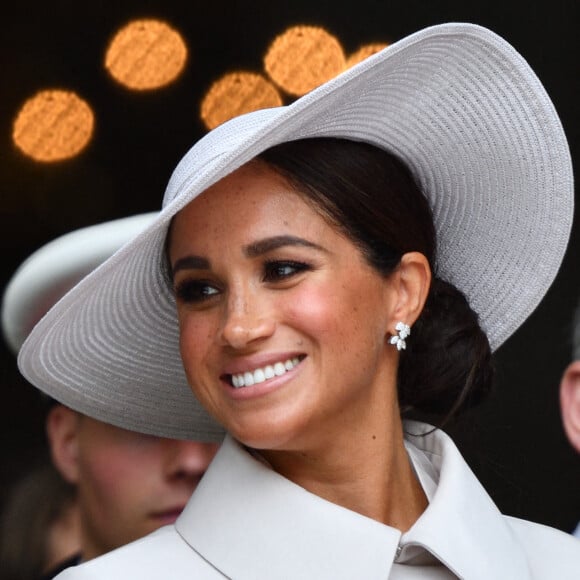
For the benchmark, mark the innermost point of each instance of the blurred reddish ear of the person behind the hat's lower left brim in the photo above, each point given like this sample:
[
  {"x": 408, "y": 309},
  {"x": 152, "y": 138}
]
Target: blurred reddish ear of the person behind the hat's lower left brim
[{"x": 62, "y": 429}]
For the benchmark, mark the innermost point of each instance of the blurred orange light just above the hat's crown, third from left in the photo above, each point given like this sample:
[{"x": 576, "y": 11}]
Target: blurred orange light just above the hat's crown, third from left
[{"x": 237, "y": 93}]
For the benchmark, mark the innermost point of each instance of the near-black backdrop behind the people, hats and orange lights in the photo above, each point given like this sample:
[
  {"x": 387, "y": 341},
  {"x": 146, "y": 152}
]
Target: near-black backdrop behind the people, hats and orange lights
[{"x": 515, "y": 443}]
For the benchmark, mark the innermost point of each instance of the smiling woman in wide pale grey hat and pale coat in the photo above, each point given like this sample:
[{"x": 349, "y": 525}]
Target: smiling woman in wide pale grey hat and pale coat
[{"x": 317, "y": 271}]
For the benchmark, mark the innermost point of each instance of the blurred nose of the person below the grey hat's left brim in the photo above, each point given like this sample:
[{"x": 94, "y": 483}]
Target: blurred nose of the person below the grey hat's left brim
[{"x": 188, "y": 460}]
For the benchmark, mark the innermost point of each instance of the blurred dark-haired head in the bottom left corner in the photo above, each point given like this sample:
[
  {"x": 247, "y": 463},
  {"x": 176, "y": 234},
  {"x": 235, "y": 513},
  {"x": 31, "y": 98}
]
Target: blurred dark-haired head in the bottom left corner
[{"x": 39, "y": 524}]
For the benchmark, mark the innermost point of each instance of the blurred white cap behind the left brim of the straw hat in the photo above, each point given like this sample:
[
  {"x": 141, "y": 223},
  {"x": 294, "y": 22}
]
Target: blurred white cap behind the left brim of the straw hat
[{"x": 52, "y": 270}]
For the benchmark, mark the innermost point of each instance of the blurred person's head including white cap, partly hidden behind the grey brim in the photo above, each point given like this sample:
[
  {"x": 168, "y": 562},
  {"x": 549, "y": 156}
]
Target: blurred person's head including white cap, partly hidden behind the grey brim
[{"x": 128, "y": 484}]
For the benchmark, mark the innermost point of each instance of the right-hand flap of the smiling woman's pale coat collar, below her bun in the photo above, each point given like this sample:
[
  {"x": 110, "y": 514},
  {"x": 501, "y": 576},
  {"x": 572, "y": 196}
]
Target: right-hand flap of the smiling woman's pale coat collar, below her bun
[{"x": 461, "y": 527}]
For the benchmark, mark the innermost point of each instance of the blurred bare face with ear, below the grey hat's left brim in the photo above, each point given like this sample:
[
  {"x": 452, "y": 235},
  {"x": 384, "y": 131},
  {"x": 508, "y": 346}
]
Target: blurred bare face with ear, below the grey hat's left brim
[{"x": 129, "y": 484}]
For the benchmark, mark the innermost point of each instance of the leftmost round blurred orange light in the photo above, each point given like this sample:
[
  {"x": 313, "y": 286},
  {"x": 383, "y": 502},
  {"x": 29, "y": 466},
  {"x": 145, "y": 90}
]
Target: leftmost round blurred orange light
[{"x": 53, "y": 125}]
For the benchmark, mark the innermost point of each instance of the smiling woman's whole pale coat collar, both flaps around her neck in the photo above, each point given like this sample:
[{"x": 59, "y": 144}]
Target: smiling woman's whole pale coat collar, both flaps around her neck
[{"x": 249, "y": 522}]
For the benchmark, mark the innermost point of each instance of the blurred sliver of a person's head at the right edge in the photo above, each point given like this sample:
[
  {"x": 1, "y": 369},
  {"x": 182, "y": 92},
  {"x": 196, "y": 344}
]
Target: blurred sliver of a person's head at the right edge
[{"x": 570, "y": 389}]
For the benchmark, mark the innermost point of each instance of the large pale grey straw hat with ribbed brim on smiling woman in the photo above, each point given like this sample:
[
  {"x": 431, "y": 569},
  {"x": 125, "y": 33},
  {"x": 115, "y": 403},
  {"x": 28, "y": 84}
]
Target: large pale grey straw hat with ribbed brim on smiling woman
[{"x": 456, "y": 102}]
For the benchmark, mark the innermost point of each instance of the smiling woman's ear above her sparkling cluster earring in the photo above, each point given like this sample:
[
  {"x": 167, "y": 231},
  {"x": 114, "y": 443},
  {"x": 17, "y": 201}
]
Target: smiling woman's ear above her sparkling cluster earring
[{"x": 412, "y": 281}]
